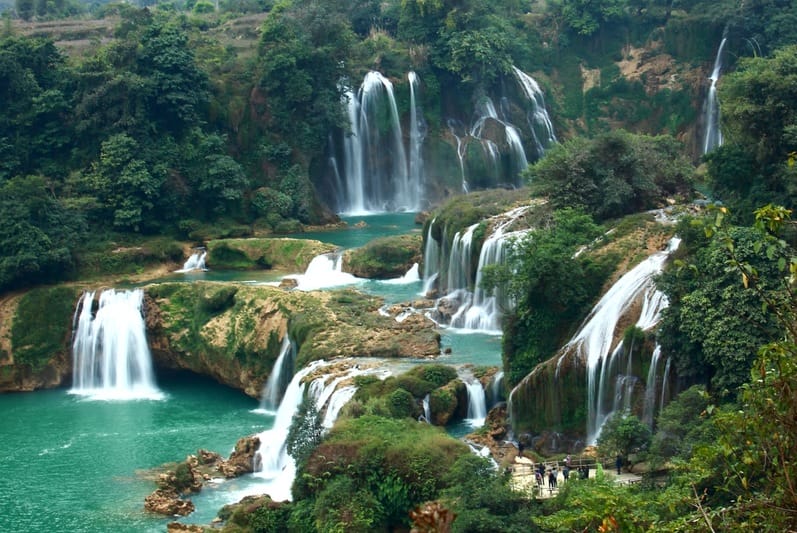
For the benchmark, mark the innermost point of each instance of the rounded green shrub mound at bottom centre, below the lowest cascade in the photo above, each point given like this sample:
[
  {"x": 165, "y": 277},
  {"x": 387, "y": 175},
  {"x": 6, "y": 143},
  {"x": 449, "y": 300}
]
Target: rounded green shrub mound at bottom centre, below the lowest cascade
[{"x": 397, "y": 463}]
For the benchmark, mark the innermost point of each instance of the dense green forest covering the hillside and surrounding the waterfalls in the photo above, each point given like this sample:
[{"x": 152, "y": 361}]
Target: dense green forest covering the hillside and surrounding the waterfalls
[{"x": 175, "y": 123}]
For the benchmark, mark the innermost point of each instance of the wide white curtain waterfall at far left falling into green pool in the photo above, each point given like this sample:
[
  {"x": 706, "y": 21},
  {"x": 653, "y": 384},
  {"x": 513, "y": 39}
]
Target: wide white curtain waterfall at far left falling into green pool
[{"x": 110, "y": 354}]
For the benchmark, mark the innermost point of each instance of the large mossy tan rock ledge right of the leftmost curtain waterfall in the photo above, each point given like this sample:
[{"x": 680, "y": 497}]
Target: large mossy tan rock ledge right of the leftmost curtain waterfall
[{"x": 233, "y": 333}]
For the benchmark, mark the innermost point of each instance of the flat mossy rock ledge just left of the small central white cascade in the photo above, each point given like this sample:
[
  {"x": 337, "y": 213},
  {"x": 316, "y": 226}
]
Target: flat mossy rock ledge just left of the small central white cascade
[{"x": 291, "y": 255}]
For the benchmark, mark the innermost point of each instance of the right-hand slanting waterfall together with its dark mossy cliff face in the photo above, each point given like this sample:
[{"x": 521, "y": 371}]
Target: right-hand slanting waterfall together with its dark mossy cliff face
[{"x": 596, "y": 364}]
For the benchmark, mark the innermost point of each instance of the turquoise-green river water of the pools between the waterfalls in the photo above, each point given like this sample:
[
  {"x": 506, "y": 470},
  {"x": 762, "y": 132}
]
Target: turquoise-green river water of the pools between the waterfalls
[{"x": 69, "y": 464}]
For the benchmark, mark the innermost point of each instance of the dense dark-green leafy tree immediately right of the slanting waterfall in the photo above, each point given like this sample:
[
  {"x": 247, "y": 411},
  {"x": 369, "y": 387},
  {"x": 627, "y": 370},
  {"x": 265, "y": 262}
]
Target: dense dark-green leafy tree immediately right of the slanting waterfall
[{"x": 713, "y": 327}]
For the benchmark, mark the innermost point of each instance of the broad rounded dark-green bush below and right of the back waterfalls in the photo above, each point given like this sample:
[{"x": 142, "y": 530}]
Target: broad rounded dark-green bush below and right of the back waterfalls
[{"x": 615, "y": 174}]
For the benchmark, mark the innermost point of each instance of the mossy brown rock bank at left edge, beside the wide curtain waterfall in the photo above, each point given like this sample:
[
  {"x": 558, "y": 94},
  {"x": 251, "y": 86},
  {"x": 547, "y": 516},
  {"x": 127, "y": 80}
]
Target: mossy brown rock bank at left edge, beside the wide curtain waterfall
[{"x": 34, "y": 338}]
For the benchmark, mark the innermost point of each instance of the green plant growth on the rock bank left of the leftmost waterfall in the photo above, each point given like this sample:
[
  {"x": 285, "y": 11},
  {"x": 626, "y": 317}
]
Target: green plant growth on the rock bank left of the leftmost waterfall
[{"x": 41, "y": 326}]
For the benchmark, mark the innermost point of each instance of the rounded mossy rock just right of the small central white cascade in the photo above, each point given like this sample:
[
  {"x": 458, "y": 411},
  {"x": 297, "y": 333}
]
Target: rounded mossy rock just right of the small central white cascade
[{"x": 387, "y": 257}]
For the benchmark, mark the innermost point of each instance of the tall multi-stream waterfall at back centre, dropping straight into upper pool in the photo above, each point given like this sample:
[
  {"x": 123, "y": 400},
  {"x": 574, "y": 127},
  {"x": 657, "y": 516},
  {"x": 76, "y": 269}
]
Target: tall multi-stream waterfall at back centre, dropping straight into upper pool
[{"x": 376, "y": 177}]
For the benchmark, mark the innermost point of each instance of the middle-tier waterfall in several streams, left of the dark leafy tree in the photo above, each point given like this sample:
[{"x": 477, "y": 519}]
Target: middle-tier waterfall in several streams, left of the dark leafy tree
[{"x": 465, "y": 305}]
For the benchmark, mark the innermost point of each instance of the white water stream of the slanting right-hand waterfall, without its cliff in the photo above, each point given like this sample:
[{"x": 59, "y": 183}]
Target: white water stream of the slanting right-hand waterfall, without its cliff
[{"x": 593, "y": 341}]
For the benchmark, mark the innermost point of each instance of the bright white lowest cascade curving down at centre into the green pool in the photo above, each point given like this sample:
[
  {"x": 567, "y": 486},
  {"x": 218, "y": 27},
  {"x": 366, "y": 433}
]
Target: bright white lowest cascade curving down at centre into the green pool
[{"x": 330, "y": 386}]
